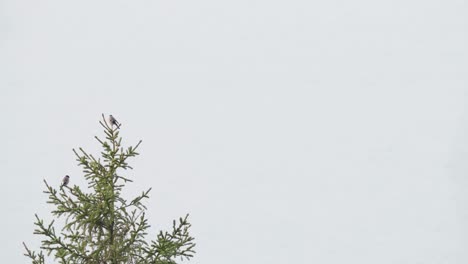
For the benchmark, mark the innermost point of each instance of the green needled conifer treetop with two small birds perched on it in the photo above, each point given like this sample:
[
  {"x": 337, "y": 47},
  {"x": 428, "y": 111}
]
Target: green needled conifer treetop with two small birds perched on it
[{"x": 100, "y": 226}]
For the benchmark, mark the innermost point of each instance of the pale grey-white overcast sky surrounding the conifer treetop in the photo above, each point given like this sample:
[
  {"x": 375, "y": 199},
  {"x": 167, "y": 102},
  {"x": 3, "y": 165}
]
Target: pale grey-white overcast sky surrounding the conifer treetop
[{"x": 306, "y": 132}]
